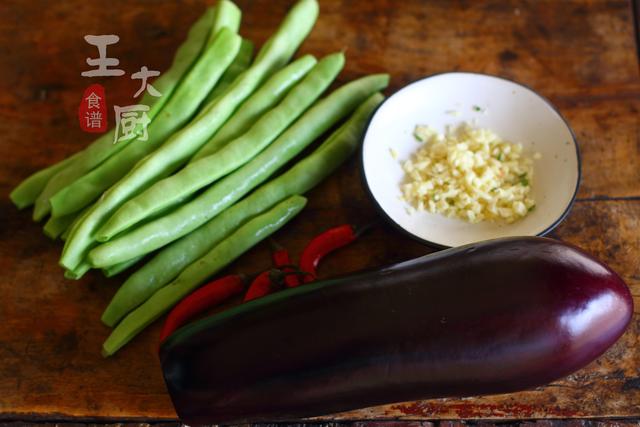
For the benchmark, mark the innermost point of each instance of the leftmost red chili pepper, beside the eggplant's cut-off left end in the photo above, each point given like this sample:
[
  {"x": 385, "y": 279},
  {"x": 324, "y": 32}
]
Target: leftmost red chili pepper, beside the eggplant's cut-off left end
[{"x": 203, "y": 298}]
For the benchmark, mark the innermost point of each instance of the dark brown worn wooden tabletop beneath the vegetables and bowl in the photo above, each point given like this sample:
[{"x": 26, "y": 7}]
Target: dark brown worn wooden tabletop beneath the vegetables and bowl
[{"x": 581, "y": 54}]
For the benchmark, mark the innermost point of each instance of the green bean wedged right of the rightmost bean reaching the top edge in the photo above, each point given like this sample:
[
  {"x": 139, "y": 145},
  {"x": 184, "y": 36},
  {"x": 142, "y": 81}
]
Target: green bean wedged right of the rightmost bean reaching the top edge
[{"x": 266, "y": 97}]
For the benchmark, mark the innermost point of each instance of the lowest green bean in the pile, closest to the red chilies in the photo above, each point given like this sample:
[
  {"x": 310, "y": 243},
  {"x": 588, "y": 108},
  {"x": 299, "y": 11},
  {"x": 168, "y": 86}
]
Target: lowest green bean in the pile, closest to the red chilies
[{"x": 211, "y": 263}]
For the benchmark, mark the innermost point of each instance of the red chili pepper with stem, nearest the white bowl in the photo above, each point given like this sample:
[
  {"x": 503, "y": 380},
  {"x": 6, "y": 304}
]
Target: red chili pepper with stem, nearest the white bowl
[{"x": 325, "y": 243}]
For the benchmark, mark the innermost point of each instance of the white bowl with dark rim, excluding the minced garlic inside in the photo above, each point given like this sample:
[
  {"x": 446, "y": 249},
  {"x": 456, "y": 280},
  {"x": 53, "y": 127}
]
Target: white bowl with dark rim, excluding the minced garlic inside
[{"x": 514, "y": 112}]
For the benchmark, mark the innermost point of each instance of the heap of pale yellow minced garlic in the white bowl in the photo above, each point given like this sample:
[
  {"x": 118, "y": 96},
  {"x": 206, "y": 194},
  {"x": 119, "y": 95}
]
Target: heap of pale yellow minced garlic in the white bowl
[{"x": 468, "y": 173}]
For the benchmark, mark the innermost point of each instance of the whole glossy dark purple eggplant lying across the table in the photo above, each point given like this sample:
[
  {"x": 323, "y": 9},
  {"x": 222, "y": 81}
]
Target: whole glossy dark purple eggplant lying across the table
[{"x": 492, "y": 317}]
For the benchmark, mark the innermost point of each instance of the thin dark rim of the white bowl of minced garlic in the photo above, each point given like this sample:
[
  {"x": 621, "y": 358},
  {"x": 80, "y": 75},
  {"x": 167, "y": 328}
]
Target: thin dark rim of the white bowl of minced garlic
[{"x": 430, "y": 243}]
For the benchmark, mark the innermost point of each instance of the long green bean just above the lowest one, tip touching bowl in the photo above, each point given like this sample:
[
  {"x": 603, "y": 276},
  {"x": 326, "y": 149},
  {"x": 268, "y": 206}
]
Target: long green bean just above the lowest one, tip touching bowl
[{"x": 306, "y": 174}]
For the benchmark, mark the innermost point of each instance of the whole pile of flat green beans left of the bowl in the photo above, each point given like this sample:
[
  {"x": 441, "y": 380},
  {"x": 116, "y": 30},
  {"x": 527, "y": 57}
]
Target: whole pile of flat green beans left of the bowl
[{"x": 199, "y": 189}]
